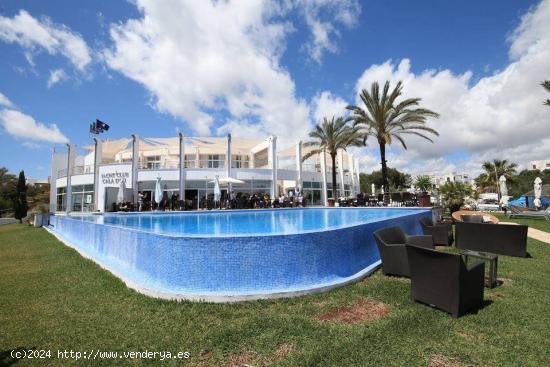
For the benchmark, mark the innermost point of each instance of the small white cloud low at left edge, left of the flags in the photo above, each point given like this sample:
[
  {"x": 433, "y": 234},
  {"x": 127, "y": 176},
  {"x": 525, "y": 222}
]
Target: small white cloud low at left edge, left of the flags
[{"x": 25, "y": 127}]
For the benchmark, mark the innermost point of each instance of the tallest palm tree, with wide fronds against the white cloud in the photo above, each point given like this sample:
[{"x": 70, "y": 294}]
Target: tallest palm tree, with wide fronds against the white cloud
[{"x": 385, "y": 119}]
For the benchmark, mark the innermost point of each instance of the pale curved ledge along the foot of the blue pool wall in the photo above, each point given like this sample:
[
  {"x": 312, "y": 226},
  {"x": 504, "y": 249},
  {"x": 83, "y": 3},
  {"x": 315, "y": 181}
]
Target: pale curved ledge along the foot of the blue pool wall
[{"x": 213, "y": 297}]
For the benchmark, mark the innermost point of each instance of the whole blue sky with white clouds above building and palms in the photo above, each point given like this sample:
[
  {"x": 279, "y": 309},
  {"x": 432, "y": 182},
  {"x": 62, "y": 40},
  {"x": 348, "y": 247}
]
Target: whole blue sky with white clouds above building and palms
[{"x": 455, "y": 50}]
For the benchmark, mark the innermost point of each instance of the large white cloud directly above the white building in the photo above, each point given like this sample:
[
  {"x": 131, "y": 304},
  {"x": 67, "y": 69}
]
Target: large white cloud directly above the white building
[{"x": 201, "y": 60}]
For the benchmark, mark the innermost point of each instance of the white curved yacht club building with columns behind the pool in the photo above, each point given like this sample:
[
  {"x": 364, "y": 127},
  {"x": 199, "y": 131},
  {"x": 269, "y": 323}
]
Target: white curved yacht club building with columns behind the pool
[{"x": 186, "y": 165}]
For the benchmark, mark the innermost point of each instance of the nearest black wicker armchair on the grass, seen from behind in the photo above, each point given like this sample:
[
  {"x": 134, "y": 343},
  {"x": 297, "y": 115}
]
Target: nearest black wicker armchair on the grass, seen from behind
[{"x": 445, "y": 281}]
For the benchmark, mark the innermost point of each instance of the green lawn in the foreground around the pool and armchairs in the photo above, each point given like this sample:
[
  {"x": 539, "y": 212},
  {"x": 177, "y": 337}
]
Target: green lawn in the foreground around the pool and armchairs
[{"x": 52, "y": 298}]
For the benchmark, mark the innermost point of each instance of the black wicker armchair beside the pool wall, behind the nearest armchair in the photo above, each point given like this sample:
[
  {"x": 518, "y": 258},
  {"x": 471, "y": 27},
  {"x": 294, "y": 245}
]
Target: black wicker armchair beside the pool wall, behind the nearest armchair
[{"x": 391, "y": 243}]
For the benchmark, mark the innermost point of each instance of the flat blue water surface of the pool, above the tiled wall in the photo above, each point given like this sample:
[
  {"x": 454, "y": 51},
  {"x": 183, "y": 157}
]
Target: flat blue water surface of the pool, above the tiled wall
[{"x": 248, "y": 222}]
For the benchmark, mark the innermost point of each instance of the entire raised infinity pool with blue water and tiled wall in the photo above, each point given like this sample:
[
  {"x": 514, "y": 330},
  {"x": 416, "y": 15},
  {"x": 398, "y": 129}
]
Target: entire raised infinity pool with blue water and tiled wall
[{"x": 224, "y": 256}]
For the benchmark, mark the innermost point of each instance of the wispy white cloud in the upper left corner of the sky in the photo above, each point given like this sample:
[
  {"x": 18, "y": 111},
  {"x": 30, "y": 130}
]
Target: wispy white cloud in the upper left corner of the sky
[{"x": 32, "y": 33}]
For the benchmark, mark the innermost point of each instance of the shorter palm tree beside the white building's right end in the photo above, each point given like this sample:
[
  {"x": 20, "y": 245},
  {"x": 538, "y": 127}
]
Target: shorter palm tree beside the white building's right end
[{"x": 331, "y": 136}]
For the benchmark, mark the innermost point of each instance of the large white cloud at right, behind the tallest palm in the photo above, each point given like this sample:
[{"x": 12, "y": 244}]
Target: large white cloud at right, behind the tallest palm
[{"x": 500, "y": 116}]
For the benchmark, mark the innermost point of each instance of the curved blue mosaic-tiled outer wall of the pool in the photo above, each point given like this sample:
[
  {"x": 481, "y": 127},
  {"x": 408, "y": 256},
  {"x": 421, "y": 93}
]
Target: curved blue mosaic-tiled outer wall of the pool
[{"x": 214, "y": 267}]
